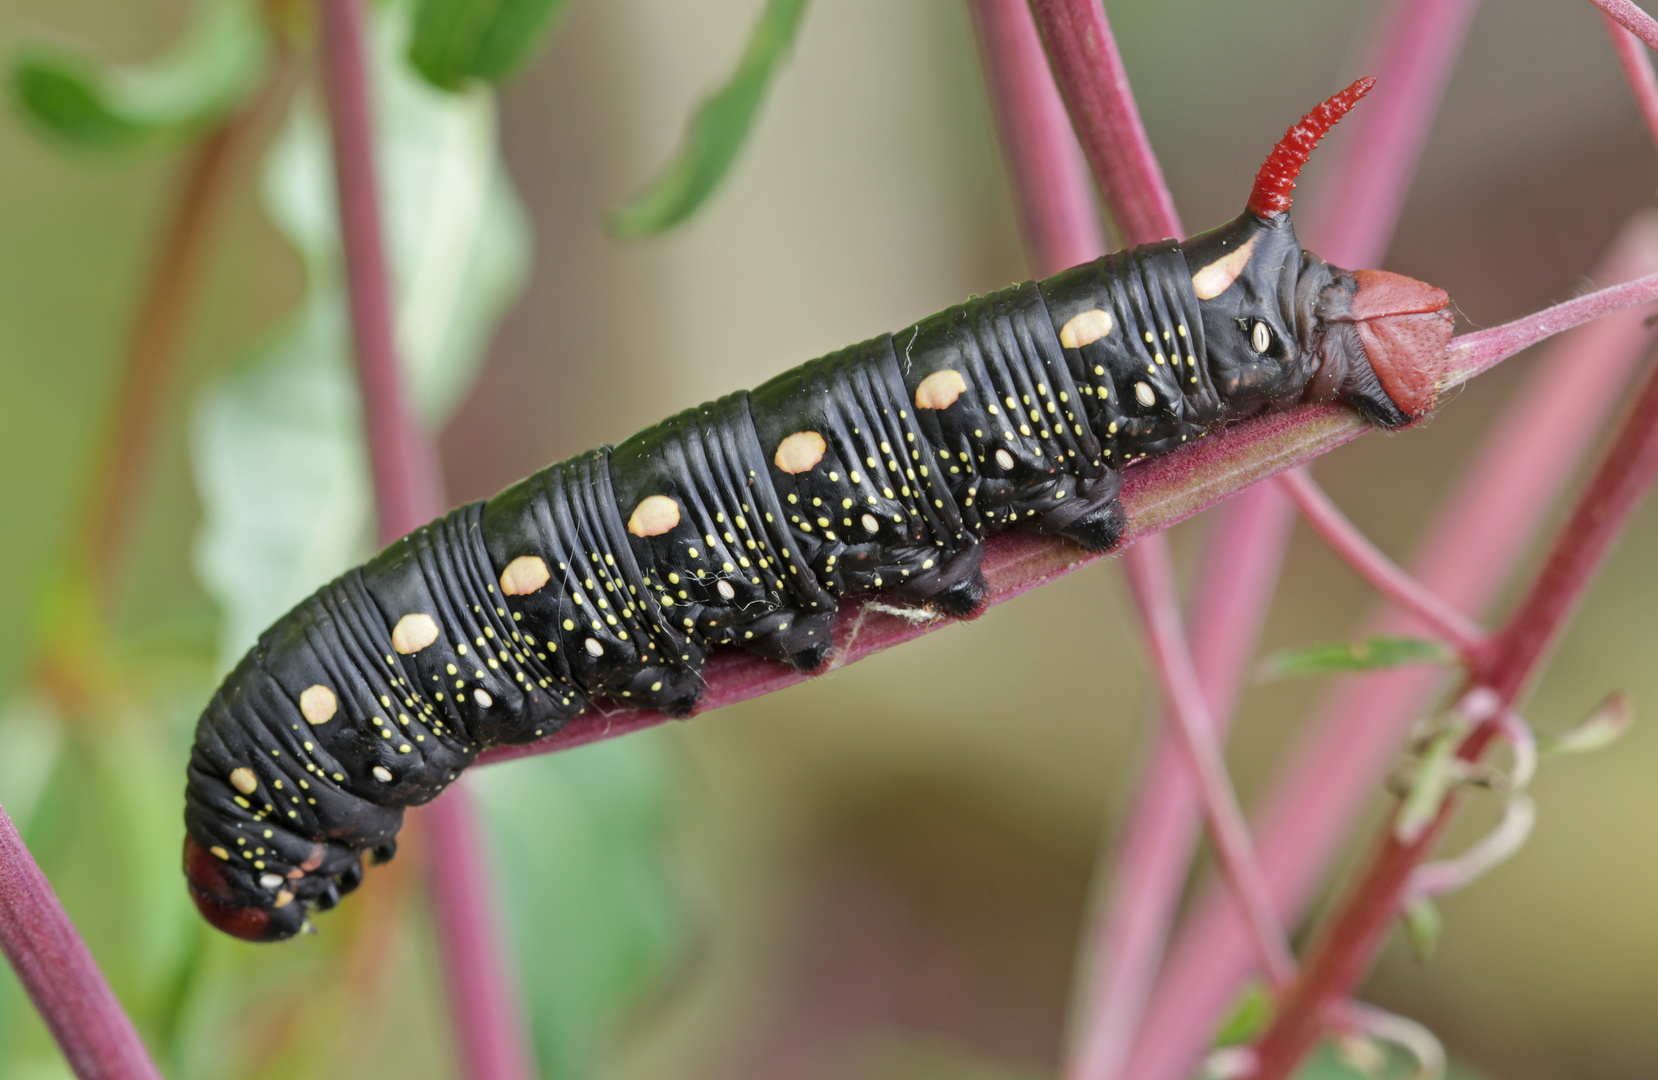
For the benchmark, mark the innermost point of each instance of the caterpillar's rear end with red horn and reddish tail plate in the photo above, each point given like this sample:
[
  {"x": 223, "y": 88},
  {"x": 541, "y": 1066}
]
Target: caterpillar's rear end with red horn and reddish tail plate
[{"x": 1284, "y": 326}]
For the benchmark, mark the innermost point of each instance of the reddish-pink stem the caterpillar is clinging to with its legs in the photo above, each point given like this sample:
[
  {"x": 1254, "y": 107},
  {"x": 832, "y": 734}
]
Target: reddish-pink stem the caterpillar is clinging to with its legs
[{"x": 1158, "y": 494}]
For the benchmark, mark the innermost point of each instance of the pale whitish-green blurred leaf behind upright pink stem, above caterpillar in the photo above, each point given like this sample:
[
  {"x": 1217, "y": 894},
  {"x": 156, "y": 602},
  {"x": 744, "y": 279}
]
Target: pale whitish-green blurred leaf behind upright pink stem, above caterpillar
[{"x": 278, "y": 442}]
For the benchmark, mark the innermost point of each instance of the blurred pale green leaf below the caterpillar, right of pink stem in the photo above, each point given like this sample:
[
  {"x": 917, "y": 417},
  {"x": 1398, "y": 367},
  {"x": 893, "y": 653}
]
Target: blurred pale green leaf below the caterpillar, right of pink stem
[{"x": 581, "y": 842}]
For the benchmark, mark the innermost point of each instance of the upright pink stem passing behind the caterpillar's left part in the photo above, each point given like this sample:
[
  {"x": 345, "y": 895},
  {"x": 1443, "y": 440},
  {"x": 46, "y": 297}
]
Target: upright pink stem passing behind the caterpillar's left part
[{"x": 483, "y": 995}]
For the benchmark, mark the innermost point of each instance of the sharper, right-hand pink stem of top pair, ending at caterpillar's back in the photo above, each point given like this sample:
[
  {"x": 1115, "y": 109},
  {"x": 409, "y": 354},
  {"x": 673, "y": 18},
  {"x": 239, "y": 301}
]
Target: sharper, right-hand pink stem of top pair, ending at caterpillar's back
[{"x": 1095, "y": 85}]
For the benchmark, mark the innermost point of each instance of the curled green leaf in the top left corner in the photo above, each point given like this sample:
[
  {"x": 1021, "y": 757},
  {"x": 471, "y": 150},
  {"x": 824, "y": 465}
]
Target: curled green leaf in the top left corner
[{"x": 208, "y": 74}]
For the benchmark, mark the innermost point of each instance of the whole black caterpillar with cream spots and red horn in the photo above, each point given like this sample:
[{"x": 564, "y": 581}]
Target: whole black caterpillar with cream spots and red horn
[{"x": 744, "y": 522}]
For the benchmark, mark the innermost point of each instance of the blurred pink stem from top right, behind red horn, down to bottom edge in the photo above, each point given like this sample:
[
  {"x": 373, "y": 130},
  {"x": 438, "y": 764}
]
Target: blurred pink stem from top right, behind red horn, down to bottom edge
[{"x": 1375, "y": 158}]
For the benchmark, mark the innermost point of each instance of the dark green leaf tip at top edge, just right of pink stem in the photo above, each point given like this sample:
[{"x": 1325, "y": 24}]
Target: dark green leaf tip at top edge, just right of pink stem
[{"x": 462, "y": 41}]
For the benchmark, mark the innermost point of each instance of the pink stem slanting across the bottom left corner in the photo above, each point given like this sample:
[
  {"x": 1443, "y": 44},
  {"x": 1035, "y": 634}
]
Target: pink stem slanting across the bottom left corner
[{"x": 61, "y": 975}]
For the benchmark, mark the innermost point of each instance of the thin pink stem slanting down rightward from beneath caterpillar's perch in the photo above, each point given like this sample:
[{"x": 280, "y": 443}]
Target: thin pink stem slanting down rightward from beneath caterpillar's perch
[{"x": 1151, "y": 578}]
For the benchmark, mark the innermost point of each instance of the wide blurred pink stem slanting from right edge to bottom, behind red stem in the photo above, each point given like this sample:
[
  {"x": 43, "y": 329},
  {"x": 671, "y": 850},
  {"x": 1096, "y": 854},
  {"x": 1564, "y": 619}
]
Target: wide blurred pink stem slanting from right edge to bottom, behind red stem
[{"x": 1468, "y": 557}]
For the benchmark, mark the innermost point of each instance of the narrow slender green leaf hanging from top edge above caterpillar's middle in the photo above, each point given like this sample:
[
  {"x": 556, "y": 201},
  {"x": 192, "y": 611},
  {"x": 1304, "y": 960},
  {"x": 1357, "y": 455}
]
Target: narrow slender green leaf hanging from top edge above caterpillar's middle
[{"x": 717, "y": 130}]
